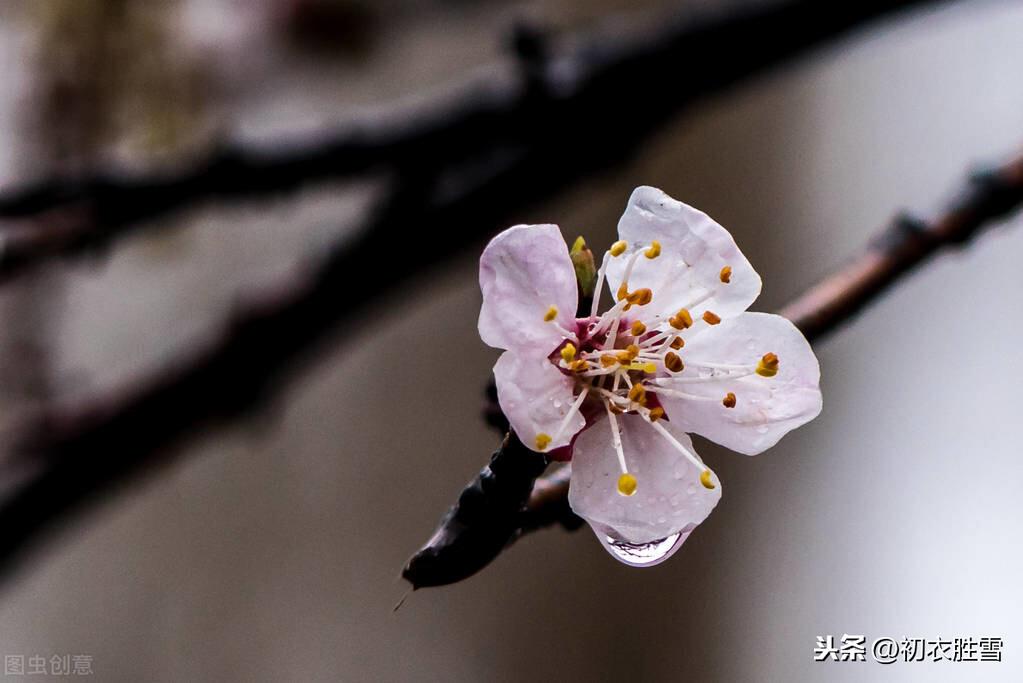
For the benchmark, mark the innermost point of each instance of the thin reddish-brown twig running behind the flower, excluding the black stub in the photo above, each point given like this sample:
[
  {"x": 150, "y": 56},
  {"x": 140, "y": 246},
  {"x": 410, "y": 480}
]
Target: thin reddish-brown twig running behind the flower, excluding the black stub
[{"x": 899, "y": 250}]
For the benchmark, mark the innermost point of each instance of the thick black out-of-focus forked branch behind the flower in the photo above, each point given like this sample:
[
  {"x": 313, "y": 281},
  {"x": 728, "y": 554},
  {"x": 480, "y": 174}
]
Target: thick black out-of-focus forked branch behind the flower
[{"x": 462, "y": 170}]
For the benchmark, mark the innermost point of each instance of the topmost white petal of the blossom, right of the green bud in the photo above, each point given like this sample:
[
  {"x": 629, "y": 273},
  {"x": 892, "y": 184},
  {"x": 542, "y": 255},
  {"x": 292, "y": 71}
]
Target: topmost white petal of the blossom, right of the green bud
[{"x": 697, "y": 255}]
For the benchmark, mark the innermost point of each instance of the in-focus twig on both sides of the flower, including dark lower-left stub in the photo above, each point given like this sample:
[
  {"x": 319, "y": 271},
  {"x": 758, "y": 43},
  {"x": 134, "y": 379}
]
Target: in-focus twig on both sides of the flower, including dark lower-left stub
[{"x": 458, "y": 551}]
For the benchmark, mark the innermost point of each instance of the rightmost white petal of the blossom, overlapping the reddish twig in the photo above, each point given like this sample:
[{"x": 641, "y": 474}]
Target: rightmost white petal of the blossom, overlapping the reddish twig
[{"x": 767, "y": 408}]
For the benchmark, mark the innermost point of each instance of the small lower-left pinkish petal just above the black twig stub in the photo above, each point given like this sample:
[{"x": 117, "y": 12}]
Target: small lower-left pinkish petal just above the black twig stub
[{"x": 537, "y": 397}]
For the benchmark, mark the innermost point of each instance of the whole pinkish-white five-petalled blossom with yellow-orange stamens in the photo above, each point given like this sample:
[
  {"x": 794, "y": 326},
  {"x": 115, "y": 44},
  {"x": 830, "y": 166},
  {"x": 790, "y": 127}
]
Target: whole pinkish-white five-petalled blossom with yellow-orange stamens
[{"x": 678, "y": 353}]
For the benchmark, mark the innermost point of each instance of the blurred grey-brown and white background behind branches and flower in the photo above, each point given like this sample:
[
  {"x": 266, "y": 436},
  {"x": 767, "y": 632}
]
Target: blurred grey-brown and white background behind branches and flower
[{"x": 272, "y": 551}]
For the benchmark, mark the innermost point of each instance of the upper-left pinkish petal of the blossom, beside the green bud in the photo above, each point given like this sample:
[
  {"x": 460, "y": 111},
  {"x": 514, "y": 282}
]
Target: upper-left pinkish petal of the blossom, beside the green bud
[{"x": 524, "y": 272}]
